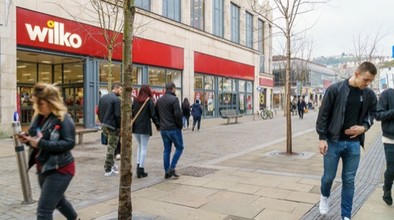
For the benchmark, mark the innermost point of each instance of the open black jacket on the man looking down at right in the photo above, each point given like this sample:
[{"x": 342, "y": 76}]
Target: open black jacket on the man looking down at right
[{"x": 332, "y": 111}]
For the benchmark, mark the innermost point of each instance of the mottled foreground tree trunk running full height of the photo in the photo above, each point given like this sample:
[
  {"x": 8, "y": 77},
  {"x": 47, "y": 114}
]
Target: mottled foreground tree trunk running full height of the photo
[{"x": 125, "y": 207}]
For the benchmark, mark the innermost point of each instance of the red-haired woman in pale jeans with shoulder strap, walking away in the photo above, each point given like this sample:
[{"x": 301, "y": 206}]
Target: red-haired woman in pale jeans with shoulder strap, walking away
[{"x": 143, "y": 112}]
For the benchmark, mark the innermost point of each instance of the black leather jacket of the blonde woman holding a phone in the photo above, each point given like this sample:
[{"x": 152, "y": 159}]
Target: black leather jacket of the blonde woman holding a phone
[{"x": 52, "y": 154}]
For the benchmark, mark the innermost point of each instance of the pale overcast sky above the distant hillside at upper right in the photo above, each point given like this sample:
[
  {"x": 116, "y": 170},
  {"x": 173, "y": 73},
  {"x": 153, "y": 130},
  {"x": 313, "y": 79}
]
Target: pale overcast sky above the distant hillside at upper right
[{"x": 339, "y": 22}]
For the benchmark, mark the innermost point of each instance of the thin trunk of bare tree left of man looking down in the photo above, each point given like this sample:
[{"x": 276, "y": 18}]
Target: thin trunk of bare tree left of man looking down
[{"x": 289, "y": 144}]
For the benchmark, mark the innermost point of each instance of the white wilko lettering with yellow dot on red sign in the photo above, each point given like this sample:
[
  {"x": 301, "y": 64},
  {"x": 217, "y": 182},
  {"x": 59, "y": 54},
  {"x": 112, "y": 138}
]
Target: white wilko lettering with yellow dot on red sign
[{"x": 54, "y": 34}]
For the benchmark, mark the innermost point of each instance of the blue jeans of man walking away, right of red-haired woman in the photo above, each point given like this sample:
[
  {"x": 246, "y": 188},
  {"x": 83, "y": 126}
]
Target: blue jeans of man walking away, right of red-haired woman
[{"x": 169, "y": 137}]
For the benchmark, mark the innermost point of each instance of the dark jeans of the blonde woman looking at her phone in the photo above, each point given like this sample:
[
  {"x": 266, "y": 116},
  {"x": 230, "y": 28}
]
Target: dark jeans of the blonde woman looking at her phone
[{"x": 53, "y": 186}]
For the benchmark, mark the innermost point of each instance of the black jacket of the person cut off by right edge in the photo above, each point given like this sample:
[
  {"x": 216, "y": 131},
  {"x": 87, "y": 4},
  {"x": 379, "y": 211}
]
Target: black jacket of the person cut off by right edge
[{"x": 386, "y": 112}]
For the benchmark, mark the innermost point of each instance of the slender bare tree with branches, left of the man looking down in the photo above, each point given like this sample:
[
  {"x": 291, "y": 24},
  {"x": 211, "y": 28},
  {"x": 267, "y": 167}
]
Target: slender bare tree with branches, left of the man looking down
[{"x": 288, "y": 12}]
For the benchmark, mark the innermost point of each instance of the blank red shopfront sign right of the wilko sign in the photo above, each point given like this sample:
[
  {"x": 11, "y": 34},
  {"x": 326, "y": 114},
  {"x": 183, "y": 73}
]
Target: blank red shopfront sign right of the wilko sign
[{"x": 204, "y": 63}]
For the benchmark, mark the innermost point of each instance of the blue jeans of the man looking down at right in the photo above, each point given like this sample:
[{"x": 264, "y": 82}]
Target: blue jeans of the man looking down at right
[{"x": 349, "y": 152}]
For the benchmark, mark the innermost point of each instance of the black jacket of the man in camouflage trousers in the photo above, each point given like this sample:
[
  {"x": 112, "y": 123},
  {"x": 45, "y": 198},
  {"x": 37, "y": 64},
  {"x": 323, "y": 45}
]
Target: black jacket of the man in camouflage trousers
[{"x": 109, "y": 111}]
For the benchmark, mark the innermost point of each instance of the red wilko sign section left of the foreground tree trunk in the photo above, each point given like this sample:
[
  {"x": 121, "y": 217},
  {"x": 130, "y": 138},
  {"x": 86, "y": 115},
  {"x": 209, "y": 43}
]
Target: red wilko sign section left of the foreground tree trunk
[{"x": 58, "y": 34}]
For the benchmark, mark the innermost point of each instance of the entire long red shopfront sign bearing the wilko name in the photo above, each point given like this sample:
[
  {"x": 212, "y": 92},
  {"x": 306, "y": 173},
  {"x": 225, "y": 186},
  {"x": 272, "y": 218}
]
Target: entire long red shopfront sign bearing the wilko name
[{"x": 58, "y": 34}]
